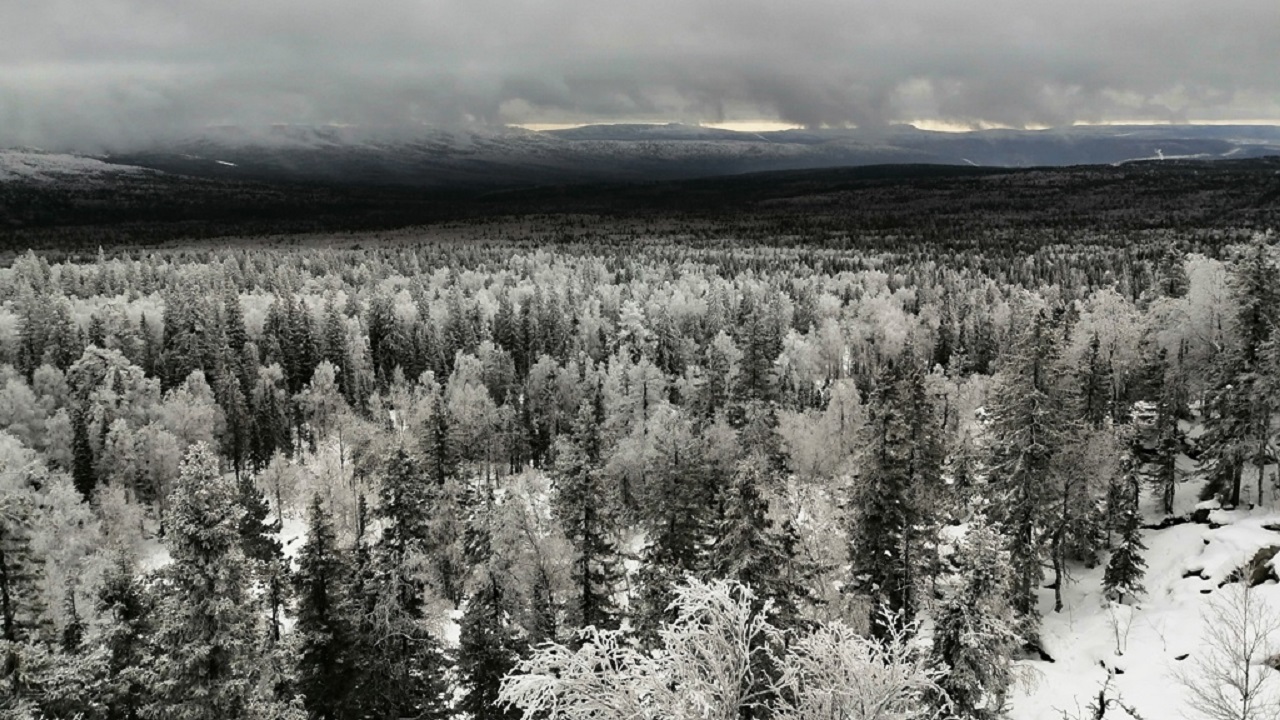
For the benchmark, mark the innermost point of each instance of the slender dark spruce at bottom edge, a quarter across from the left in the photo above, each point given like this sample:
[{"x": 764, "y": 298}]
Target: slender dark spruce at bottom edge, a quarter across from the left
[{"x": 327, "y": 669}]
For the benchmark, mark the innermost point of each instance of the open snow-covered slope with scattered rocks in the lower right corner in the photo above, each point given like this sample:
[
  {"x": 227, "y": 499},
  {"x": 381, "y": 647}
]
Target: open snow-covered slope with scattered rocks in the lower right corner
[{"x": 1142, "y": 645}]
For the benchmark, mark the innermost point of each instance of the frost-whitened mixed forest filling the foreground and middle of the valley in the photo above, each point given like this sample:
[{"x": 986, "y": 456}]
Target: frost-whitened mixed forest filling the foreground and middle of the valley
[{"x": 807, "y": 464}]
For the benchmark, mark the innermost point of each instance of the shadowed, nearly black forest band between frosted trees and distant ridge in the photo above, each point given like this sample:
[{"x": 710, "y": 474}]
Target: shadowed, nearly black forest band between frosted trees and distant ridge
[{"x": 892, "y": 206}]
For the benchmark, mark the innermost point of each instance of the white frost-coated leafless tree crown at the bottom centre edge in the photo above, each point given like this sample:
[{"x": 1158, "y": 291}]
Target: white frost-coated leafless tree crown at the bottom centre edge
[{"x": 707, "y": 667}]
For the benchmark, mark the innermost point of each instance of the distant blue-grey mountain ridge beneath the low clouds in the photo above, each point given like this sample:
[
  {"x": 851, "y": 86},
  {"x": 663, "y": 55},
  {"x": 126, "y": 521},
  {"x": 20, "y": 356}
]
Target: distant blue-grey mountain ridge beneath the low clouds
[{"x": 510, "y": 157}]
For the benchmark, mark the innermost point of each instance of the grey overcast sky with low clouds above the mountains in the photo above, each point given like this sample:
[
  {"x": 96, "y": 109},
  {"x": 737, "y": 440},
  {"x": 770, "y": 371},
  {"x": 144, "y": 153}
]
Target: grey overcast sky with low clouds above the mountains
[{"x": 124, "y": 72}]
